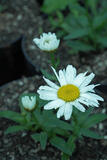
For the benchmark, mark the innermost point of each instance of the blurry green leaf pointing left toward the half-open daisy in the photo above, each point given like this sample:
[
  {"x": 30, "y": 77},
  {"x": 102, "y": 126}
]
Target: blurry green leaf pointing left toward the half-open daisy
[{"x": 77, "y": 33}]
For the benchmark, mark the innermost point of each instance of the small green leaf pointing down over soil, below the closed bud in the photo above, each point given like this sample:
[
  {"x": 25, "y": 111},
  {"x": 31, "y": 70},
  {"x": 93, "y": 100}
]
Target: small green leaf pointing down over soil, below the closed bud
[{"x": 41, "y": 137}]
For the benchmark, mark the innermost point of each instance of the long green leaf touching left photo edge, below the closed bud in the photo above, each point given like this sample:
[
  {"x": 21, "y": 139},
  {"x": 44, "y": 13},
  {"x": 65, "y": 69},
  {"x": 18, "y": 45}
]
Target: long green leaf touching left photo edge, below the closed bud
[{"x": 17, "y": 117}]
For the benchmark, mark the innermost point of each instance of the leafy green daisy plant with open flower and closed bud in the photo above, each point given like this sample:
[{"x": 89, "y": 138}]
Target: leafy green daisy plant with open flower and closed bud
[{"x": 67, "y": 115}]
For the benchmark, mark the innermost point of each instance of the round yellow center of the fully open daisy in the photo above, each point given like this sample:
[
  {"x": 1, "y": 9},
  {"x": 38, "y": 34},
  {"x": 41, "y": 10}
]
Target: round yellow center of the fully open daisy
[{"x": 68, "y": 92}]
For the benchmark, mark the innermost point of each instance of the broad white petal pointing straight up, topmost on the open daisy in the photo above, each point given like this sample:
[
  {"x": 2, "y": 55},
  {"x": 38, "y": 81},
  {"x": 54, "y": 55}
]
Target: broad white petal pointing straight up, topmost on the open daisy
[{"x": 70, "y": 73}]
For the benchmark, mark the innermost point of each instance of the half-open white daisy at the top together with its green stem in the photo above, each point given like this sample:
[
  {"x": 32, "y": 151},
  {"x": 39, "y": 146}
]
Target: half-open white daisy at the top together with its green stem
[{"x": 48, "y": 43}]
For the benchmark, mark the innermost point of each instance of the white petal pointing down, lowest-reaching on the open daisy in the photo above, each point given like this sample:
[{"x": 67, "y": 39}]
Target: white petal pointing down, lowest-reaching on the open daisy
[{"x": 68, "y": 111}]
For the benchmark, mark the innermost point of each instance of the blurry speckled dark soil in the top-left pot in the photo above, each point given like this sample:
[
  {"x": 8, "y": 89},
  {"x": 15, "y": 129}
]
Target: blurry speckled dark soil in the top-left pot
[{"x": 20, "y": 17}]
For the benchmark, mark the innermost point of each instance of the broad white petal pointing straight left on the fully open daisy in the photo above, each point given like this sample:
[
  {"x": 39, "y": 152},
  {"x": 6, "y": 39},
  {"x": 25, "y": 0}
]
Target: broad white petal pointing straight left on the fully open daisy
[{"x": 47, "y": 95}]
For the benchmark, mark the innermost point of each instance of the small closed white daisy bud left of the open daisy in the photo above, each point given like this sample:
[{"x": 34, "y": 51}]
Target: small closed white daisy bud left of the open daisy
[{"x": 28, "y": 102}]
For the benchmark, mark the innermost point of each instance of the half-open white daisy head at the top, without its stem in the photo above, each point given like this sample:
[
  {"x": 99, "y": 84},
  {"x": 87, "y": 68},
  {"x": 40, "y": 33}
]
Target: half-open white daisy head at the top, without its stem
[{"x": 48, "y": 42}]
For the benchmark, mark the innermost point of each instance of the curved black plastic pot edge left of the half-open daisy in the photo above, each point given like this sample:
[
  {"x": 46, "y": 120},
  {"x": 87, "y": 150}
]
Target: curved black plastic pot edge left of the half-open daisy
[{"x": 33, "y": 69}]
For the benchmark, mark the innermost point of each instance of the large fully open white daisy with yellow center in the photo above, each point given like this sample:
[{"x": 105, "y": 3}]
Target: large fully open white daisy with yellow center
[{"x": 74, "y": 90}]
